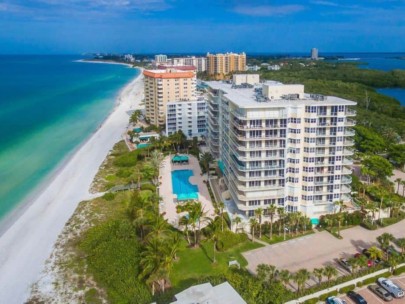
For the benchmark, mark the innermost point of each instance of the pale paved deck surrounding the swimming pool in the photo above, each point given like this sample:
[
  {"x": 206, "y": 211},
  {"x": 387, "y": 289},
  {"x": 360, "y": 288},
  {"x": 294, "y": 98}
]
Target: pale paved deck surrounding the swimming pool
[{"x": 168, "y": 205}]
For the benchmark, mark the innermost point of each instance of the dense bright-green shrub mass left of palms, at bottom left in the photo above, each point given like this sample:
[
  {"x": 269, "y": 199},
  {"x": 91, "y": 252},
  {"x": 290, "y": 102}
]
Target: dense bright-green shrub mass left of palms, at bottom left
[{"x": 112, "y": 253}]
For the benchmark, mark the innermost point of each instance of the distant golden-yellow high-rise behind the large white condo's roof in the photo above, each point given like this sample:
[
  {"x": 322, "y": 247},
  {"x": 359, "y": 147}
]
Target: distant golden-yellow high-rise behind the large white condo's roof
[{"x": 223, "y": 64}]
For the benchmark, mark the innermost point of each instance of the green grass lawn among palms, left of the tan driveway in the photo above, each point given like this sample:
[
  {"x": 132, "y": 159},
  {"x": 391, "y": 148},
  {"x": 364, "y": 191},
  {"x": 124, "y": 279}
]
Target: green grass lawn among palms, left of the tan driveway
[{"x": 195, "y": 263}]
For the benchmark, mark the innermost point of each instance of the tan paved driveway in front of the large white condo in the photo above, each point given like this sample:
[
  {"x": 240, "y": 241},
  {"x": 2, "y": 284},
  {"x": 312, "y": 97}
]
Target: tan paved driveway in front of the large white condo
[{"x": 319, "y": 249}]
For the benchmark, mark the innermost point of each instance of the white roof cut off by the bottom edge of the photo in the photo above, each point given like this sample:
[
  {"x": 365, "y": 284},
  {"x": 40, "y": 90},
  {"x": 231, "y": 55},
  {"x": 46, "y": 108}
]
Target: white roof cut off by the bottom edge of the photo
[{"x": 208, "y": 294}]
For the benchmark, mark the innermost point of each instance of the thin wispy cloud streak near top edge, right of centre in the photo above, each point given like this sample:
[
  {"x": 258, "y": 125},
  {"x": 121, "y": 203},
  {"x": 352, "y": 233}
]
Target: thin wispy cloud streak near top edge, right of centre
[{"x": 268, "y": 10}]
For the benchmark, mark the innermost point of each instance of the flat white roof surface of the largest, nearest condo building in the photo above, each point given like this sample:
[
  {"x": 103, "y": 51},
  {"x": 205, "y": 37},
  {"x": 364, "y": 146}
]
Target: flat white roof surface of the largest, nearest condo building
[{"x": 246, "y": 97}]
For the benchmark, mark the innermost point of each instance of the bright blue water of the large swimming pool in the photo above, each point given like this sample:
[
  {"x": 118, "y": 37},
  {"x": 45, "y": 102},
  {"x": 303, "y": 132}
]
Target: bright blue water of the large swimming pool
[{"x": 182, "y": 187}]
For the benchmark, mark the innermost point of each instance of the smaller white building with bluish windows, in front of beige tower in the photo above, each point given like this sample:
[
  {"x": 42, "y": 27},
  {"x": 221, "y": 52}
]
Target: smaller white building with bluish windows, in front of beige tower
[{"x": 188, "y": 116}]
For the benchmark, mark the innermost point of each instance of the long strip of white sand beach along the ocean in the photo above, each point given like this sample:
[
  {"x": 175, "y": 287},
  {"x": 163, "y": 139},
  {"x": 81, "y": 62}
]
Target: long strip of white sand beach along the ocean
[{"x": 29, "y": 241}]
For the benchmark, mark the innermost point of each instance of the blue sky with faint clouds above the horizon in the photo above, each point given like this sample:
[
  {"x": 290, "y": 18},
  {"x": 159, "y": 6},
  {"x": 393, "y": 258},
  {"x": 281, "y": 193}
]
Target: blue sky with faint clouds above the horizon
[{"x": 199, "y": 26}]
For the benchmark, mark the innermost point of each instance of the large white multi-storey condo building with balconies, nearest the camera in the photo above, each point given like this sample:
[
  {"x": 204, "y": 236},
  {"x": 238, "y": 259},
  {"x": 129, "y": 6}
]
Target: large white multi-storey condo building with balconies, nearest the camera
[{"x": 281, "y": 146}]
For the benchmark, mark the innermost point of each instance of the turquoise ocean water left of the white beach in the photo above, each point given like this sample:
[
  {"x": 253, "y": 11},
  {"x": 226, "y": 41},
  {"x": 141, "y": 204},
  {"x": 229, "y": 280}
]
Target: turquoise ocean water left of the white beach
[{"x": 49, "y": 105}]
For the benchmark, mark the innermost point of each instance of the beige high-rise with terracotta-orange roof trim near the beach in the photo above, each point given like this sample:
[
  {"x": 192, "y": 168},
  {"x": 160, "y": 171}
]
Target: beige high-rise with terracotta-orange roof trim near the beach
[{"x": 163, "y": 86}]
